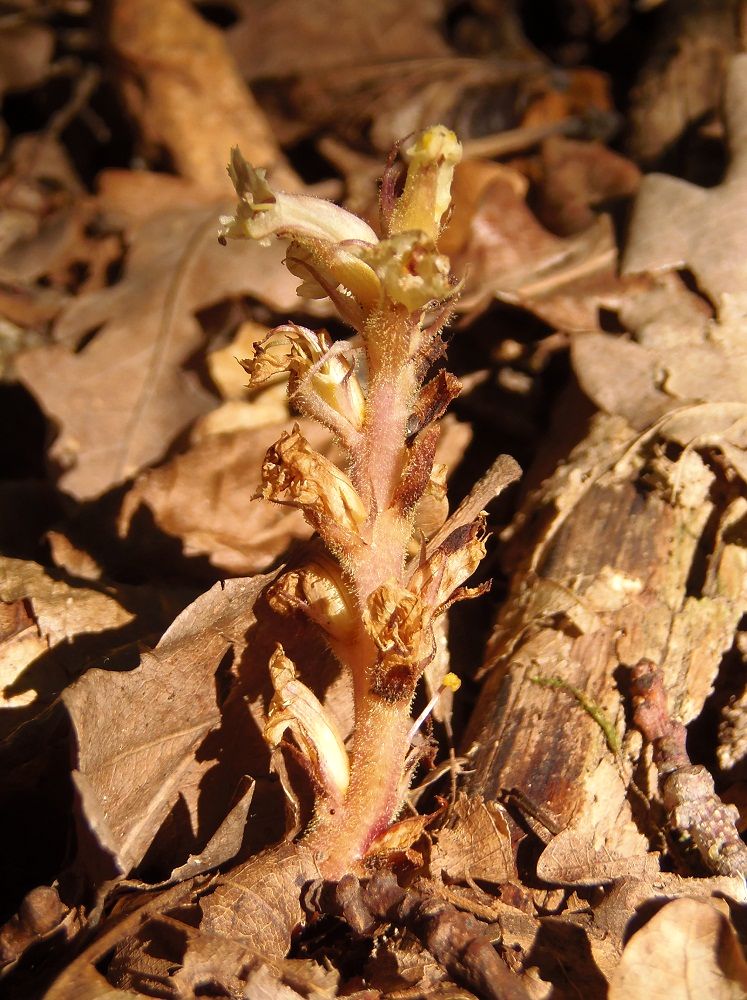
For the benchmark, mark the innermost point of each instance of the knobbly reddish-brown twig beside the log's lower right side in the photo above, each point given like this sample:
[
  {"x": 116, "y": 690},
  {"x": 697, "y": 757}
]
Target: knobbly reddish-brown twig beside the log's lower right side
[{"x": 695, "y": 813}]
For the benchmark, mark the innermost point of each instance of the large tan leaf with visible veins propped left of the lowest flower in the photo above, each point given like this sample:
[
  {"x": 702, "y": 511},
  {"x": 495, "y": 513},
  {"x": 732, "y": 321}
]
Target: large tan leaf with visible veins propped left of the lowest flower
[{"x": 137, "y": 732}]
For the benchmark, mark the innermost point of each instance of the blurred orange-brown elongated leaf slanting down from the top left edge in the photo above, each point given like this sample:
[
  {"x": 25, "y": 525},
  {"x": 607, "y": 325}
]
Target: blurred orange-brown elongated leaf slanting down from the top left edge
[{"x": 180, "y": 83}]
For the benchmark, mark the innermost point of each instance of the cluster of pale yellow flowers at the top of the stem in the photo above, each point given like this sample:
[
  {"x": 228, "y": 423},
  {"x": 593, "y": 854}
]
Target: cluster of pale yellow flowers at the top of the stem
[{"x": 336, "y": 254}]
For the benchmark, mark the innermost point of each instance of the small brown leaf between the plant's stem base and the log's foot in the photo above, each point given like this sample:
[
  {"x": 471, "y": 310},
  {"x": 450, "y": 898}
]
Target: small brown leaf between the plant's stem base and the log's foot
[{"x": 474, "y": 844}]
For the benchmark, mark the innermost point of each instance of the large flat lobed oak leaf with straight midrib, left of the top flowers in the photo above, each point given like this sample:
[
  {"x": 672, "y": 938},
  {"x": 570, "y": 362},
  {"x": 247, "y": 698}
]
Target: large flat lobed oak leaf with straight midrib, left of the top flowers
[{"x": 122, "y": 397}]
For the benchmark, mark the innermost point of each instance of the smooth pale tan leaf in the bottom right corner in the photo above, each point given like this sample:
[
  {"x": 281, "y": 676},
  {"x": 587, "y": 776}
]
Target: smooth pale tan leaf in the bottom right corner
[{"x": 688, "y": 950}]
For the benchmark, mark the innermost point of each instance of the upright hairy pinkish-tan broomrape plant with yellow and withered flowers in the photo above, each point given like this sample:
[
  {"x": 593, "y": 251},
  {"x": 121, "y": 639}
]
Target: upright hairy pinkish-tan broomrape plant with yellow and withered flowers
[{"x": 392, "y": 567}]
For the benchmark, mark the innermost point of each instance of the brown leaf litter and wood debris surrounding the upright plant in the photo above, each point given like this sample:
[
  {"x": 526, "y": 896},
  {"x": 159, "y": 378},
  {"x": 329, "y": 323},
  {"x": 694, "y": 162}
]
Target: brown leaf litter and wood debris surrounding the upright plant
[{"x": 601, "y": 874}]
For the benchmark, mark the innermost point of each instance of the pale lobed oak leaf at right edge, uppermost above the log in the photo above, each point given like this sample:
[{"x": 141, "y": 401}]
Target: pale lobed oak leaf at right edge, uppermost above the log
[{"x": 678, "y": 224}]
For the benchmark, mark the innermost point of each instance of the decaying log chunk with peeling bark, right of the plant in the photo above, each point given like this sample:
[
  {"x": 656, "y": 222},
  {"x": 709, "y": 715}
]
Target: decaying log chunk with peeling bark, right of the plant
[{"x": 616, "y": 567}]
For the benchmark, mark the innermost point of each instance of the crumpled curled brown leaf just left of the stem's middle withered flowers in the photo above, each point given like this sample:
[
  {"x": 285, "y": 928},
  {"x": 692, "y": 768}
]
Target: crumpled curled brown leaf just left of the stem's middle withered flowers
[{"x": 203, "y": 498}]
